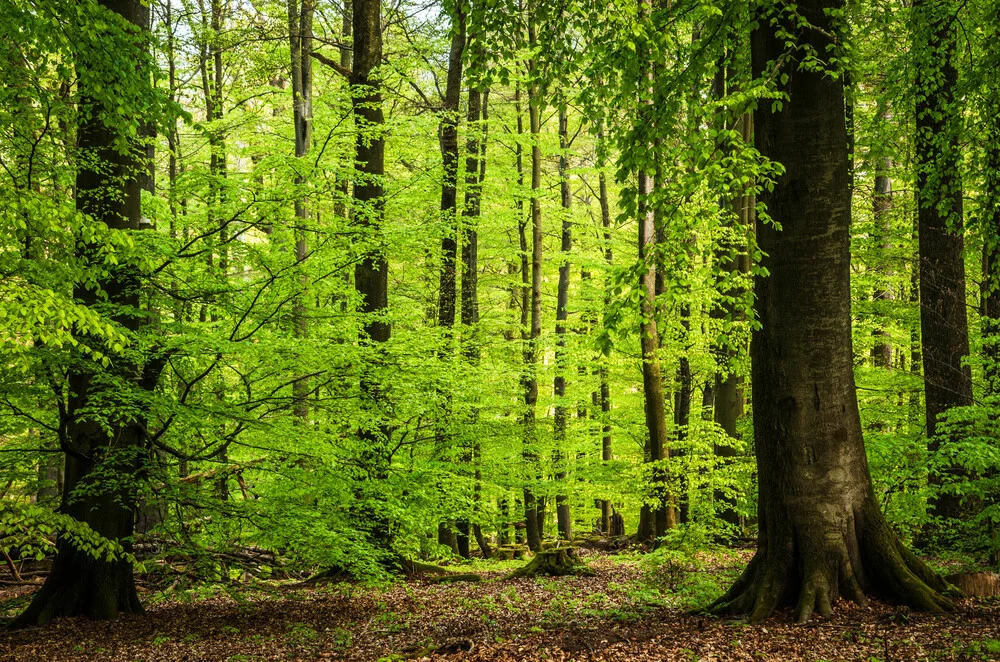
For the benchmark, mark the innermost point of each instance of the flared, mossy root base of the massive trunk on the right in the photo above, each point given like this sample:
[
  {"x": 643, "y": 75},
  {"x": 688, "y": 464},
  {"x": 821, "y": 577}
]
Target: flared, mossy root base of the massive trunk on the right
[{"x": 812, "y": 569}]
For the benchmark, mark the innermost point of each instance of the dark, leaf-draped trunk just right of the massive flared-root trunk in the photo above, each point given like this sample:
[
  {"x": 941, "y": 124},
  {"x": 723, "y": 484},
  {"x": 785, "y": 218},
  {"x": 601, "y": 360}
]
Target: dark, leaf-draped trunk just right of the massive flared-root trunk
[{"x": 943, "y": 324}]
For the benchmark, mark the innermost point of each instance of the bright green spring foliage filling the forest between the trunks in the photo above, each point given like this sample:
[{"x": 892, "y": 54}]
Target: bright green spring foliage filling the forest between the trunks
[{"x": 239, "y": 327}]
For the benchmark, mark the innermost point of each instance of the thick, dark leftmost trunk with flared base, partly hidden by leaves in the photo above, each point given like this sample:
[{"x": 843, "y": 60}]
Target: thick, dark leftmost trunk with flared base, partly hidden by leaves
[{"x": 103, "y": 455}]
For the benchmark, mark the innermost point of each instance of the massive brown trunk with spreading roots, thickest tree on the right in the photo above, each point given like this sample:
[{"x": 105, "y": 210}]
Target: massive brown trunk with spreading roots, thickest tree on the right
[{"x": 822, "y": 533}]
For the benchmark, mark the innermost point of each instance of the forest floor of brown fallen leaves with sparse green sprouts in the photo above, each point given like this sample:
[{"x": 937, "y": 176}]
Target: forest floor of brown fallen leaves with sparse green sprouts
[{"x": 631, "y": 610}]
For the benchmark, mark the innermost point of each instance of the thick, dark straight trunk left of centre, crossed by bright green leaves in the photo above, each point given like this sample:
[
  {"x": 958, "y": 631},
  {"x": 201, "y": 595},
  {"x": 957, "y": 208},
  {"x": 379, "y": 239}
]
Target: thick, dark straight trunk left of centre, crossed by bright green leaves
[{"x": 371, "y": 275}]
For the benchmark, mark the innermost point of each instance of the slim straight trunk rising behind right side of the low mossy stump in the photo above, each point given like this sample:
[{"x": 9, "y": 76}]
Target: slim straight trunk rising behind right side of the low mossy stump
[{"x": 565, "y": 523}]
